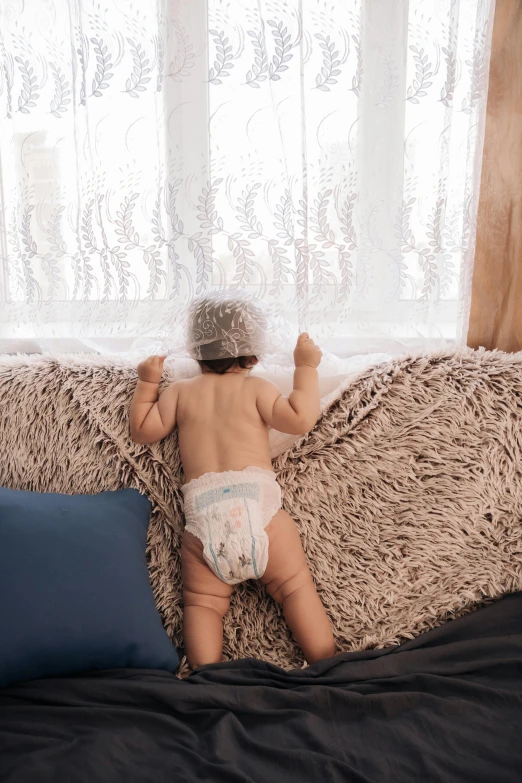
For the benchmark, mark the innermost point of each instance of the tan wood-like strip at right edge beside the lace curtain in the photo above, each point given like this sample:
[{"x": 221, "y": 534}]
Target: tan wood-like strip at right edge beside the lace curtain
[{"x": 496, "y": 306}]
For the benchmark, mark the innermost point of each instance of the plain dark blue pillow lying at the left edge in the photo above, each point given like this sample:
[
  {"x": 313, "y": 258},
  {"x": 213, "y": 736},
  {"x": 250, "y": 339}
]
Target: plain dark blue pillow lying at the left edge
[{"x": 74, "y": 586}]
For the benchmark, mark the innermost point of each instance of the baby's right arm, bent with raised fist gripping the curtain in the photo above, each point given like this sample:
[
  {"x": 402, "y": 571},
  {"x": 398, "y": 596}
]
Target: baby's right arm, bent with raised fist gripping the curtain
[{"x": 297, "y": 413}]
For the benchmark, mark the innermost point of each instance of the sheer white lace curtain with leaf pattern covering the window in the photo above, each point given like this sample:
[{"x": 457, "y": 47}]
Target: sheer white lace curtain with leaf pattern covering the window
[{"x": 324, "y": 155}]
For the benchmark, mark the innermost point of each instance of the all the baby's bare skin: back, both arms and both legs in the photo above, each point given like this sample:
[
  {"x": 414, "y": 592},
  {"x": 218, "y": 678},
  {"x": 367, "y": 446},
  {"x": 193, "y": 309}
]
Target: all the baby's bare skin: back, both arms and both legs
[{"x": 223, "y": 423}]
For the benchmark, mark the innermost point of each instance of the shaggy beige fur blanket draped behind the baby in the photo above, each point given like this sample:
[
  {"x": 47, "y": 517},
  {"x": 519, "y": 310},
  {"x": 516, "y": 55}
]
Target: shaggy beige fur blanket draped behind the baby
[{"x": 407, "y": 493}]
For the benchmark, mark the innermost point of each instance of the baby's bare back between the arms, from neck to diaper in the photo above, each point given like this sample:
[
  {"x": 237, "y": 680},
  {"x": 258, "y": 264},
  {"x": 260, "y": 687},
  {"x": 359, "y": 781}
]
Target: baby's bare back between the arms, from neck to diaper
[{"x": 220, "y": 427}]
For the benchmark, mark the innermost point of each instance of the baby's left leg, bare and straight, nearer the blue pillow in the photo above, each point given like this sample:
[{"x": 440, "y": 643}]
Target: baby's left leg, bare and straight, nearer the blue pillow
[{"x": 206, "y": 600}]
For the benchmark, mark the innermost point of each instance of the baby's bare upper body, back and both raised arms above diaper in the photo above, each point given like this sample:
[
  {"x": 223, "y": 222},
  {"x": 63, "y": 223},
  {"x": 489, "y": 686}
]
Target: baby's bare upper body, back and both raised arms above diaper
[{"x": 228, "y": 415}]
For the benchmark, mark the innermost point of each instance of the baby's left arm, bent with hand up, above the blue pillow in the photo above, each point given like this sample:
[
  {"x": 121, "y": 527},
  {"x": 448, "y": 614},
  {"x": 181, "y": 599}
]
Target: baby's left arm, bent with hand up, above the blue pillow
[{"x": 152, "y": 419}]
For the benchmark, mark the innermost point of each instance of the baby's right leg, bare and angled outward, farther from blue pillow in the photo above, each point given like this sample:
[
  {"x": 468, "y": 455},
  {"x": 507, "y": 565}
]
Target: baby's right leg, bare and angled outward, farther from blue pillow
[{"x": 289, "y": 582}]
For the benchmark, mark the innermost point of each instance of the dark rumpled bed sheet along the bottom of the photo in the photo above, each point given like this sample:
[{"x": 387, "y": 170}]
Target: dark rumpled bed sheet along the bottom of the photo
[{"x": 444, "y": 707}]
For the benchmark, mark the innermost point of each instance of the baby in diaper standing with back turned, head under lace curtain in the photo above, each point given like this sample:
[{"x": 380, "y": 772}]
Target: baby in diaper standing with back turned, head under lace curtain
[{"x": 235, "y": 526}]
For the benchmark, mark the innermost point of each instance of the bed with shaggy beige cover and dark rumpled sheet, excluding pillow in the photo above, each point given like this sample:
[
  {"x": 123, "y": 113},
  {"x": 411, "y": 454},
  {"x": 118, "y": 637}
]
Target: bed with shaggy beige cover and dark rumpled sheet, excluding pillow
[{"x": 408, "y": 497}]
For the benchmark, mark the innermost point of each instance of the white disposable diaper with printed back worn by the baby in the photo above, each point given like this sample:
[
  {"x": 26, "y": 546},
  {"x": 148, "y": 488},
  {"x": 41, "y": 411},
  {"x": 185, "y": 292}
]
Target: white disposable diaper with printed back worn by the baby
[{"x": 228, "y": 512}]
